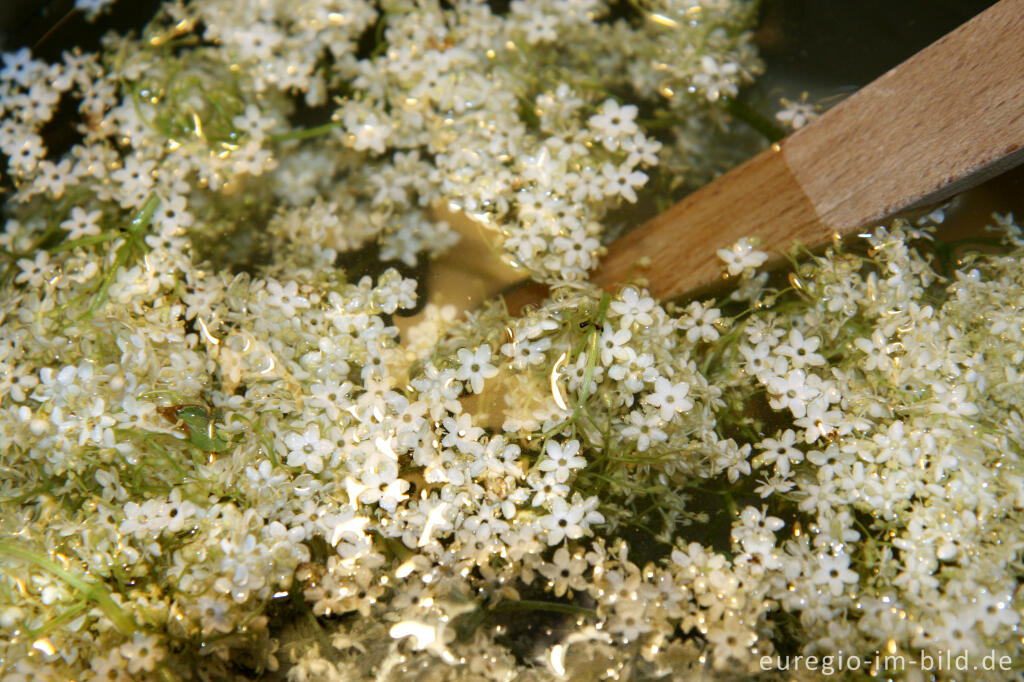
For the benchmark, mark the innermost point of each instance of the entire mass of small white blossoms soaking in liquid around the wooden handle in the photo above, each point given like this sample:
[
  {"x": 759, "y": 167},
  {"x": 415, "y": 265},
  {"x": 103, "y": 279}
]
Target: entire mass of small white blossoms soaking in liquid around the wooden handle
[{"x": 220, "y": 456}]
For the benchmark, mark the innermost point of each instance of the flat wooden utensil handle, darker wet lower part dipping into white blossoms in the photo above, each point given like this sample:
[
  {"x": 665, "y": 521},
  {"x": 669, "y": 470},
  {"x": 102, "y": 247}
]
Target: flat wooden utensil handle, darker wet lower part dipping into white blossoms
[{"x": 945, "y": 120}]
